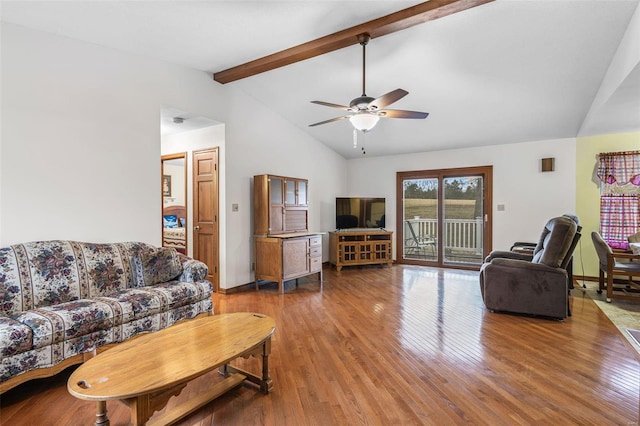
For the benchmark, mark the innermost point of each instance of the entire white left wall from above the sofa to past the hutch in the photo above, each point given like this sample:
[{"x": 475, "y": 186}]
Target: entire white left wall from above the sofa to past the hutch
[{"x": 80, "y": 143}]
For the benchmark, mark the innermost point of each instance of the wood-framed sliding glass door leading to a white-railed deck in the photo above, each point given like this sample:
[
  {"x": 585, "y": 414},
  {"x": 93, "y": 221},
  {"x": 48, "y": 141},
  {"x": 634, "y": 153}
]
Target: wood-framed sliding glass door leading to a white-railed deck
[{"x": 444, "y": 217}]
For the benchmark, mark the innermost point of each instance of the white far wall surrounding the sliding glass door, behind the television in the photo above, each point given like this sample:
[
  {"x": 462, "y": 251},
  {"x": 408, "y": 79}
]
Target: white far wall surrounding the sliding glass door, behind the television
[{"x": 530, "y": 197}]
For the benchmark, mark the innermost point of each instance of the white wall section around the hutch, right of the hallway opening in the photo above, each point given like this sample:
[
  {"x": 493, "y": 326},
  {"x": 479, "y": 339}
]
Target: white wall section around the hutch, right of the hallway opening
[{"x": 260, "y": 147}]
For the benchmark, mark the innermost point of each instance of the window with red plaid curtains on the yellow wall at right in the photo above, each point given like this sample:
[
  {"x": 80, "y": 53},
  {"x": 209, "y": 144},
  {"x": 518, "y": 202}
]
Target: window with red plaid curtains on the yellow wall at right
[{"x": 619, "y": 174}]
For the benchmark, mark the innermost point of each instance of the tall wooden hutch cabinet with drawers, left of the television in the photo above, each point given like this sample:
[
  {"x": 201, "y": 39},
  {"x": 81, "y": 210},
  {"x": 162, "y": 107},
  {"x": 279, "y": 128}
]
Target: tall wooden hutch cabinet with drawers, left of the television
[{"x": 284, "y": 247}]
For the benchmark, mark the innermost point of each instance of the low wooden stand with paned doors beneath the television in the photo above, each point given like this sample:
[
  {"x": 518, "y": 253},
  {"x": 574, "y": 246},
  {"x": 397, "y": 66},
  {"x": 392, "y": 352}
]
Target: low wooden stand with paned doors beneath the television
[{"x": 360, "y": 247}]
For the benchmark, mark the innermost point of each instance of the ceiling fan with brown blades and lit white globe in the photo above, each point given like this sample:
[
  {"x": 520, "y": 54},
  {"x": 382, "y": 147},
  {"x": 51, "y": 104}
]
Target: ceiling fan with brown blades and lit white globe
[{"x": 365, "y": 111}]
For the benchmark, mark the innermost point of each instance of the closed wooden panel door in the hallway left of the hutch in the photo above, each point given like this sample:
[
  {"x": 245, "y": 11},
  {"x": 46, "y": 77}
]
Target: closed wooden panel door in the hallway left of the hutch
[{"x": 205, "y": 212}]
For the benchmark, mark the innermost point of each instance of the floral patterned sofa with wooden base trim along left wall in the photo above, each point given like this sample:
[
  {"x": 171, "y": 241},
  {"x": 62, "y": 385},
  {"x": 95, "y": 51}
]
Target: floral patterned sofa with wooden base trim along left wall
[{"x": 62, "y": 300}]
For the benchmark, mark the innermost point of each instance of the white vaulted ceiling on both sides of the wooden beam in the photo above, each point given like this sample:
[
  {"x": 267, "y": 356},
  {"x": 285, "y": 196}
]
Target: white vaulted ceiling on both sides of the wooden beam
[{"x": 504, "y": 72}]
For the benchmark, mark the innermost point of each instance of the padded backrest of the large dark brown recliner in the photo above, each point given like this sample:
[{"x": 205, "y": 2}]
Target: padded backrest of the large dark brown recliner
[{"x": 556, "y": 241}]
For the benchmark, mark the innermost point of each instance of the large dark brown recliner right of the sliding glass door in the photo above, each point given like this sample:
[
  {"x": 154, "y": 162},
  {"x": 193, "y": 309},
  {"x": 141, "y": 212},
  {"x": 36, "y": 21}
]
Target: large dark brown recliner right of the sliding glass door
[{"x": 533, "y": 284}]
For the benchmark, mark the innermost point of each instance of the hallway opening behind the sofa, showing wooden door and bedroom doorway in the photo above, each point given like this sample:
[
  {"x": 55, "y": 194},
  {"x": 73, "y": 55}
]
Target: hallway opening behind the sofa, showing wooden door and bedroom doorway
[{"x": 183, "y": 137}]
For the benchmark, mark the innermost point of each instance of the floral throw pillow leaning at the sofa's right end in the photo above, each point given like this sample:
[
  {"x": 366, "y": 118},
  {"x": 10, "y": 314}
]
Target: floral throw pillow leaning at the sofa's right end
[{"x": 157, "y": 267}]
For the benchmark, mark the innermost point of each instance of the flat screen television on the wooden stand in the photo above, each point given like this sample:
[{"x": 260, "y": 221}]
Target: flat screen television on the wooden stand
[{"x": 360, "y": 212}]
